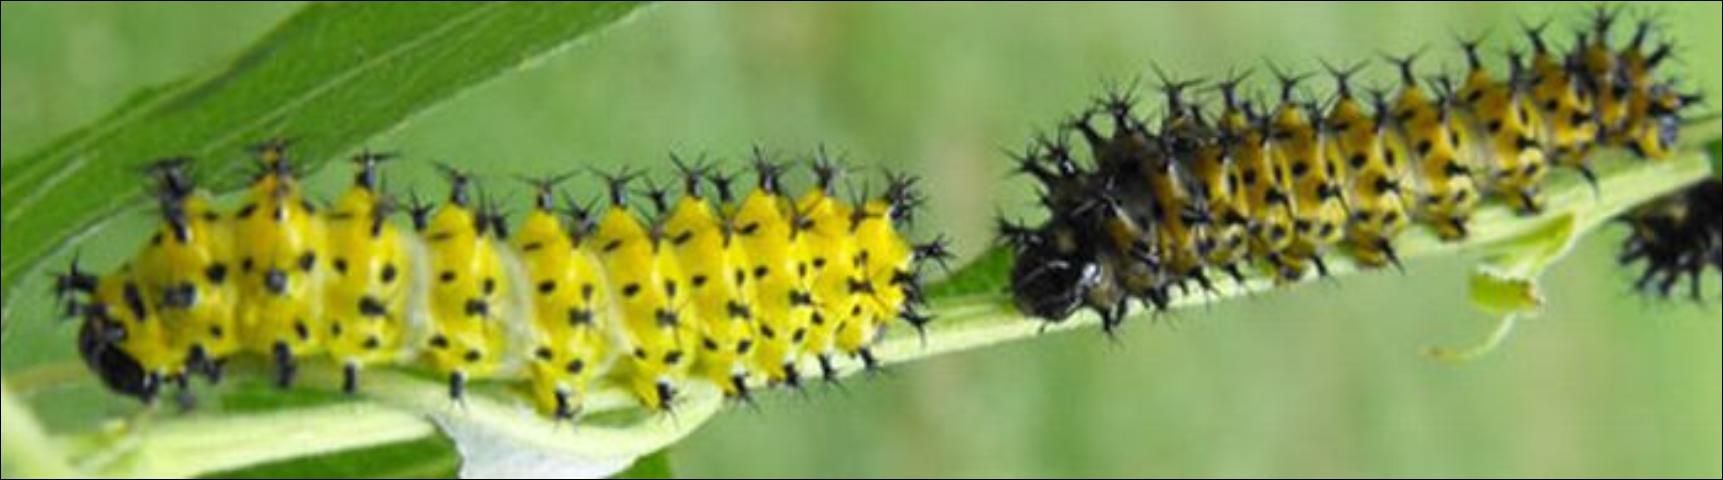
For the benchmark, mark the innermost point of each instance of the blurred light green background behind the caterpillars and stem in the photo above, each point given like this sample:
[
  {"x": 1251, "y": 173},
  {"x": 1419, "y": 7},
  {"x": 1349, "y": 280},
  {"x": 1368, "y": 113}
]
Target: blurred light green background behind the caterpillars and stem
[{"x": 1324, "y": 379}]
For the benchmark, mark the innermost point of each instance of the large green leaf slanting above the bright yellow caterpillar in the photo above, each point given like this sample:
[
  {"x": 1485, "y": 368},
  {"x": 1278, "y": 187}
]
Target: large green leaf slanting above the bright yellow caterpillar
[{"x": 330, "y": 78}]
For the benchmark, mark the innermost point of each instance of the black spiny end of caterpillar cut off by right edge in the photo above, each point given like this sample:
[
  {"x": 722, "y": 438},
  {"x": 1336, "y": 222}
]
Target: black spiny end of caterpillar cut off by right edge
[{"x": 1677, "y": 237}]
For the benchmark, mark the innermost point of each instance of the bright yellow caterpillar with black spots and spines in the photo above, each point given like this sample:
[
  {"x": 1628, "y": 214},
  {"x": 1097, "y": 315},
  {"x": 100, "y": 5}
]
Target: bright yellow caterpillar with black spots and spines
[{"x": 714, "y": 286}]
